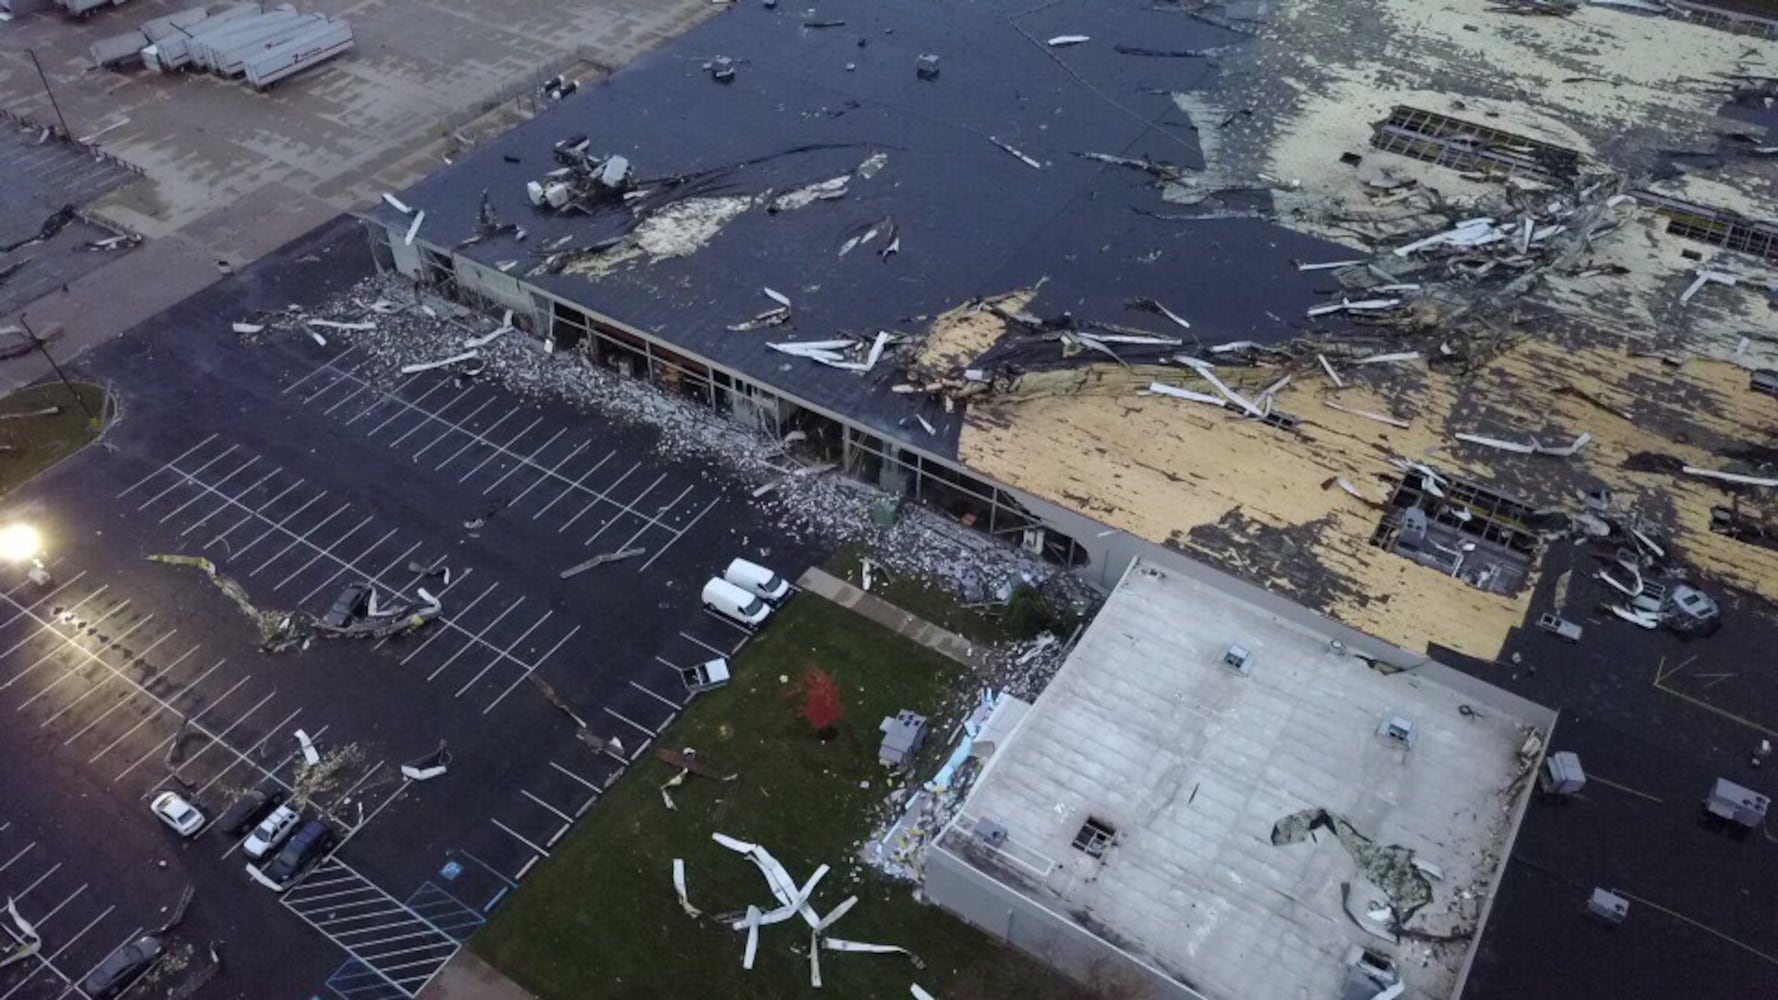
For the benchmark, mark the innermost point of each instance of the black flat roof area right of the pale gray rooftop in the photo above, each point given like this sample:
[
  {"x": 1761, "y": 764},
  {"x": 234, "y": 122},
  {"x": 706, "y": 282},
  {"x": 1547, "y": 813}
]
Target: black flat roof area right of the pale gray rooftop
[{"x": 1656, "y": 720}]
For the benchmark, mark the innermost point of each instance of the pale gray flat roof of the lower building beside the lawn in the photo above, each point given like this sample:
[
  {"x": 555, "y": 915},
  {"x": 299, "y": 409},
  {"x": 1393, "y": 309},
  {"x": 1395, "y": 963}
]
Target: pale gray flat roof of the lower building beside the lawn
[{"x": 1194, "y": 764}]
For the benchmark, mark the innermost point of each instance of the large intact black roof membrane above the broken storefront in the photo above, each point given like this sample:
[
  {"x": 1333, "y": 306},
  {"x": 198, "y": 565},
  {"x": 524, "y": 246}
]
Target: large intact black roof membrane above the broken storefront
[{"x": 812, "y": 104}]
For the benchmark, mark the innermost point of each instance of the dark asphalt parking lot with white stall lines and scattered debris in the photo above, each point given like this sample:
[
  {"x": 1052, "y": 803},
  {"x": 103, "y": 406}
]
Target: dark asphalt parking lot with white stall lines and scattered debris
[{"x": 294, "y": 472}]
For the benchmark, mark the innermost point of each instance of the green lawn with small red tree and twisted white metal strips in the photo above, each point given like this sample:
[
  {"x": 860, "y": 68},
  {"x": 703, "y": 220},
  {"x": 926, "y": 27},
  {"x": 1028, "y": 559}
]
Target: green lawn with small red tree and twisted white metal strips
[{"x": 600, "y": 917}]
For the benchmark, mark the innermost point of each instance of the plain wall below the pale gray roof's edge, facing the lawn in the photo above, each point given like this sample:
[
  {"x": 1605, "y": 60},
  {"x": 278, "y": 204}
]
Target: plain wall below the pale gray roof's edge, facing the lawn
[{"x": 1050, "y": 937}]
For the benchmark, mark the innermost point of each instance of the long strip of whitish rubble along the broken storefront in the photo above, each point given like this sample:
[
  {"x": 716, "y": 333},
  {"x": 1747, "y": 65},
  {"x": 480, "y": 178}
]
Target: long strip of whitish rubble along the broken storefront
[{"x": 401, "y": 330}]
